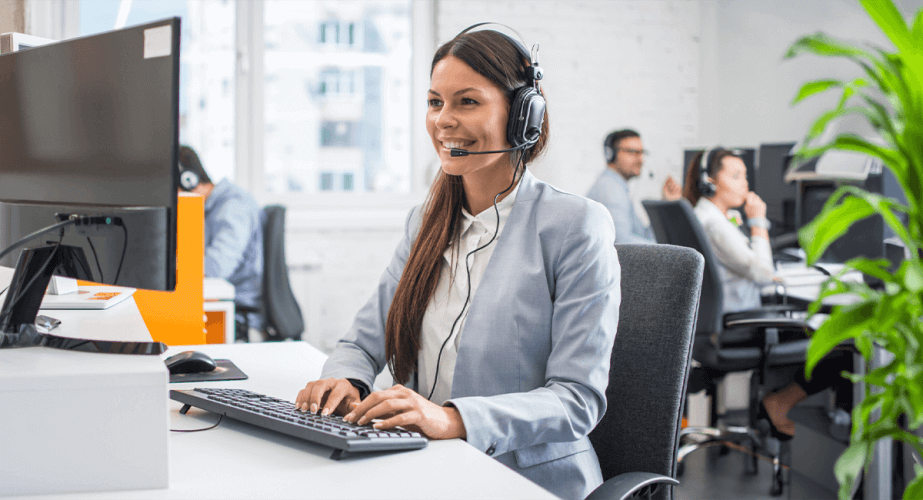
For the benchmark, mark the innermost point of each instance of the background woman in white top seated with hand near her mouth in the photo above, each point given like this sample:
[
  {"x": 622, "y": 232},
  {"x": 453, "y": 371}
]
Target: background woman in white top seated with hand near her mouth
[{"x": 716, "y": 182}]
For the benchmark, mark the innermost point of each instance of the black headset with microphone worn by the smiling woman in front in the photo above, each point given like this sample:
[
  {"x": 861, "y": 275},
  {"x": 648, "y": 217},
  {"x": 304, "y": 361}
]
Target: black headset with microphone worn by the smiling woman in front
[{"x": 527, "y": 108}]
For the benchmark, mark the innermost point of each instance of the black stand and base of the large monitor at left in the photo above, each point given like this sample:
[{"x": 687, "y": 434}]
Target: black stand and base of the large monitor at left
[{"x": 24, "y": 298}]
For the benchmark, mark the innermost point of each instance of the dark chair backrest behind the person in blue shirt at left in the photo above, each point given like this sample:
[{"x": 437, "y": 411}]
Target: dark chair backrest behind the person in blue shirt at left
[{"x": 282, "y": 314}]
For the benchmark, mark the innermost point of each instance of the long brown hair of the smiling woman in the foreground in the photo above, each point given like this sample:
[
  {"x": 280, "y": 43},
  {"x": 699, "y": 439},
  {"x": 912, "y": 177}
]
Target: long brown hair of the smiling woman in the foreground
[{"x": 492, "y": 55}]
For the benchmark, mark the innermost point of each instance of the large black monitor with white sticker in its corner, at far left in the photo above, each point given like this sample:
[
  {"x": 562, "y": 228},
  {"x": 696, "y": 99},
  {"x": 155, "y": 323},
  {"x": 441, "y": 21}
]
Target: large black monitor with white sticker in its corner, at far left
[{"x": 89, "y": 132}]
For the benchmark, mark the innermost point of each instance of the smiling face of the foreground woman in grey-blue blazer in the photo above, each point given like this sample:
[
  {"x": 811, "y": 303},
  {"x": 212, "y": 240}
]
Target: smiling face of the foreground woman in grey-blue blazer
[{"x": 466, "y": 111}]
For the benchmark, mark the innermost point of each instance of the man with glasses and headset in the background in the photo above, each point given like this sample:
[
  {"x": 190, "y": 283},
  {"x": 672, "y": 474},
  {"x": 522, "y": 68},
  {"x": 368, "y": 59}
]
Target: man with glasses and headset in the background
[{"x": 624, "y": 159}]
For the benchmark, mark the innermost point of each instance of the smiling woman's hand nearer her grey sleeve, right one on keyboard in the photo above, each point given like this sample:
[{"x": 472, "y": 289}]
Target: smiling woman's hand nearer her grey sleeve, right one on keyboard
[{"x": 400, "y": 406}]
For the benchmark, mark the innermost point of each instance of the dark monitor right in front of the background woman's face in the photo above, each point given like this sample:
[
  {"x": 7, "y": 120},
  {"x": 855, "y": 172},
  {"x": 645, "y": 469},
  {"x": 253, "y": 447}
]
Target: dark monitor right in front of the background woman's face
[{"x": 780, "y": 197}]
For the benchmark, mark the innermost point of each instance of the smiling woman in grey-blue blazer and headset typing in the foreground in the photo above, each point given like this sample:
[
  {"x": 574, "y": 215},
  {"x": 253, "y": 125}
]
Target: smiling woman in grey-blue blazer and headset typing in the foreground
[{"x": 498, "y": 312}]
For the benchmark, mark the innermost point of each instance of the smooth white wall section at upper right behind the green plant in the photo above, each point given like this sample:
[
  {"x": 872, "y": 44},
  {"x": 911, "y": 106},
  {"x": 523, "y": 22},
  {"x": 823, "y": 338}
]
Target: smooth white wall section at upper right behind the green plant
[{"x": 747, "y": 87}]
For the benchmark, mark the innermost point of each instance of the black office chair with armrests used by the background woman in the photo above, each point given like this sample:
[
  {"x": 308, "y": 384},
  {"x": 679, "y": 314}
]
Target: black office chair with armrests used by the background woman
[{"x": 747, "y": 341}]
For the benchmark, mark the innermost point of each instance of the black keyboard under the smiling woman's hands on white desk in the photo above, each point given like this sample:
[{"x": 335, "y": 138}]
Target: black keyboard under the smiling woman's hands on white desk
[{"x": 282, "y": 416}]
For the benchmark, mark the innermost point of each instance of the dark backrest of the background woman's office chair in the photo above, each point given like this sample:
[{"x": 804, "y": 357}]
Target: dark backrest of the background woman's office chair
[{"x": 675, "y": 223}]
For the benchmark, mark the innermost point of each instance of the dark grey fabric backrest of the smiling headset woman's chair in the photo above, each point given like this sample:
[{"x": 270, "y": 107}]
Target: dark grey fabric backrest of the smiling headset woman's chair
[{"x": 650, "y": 361}]
